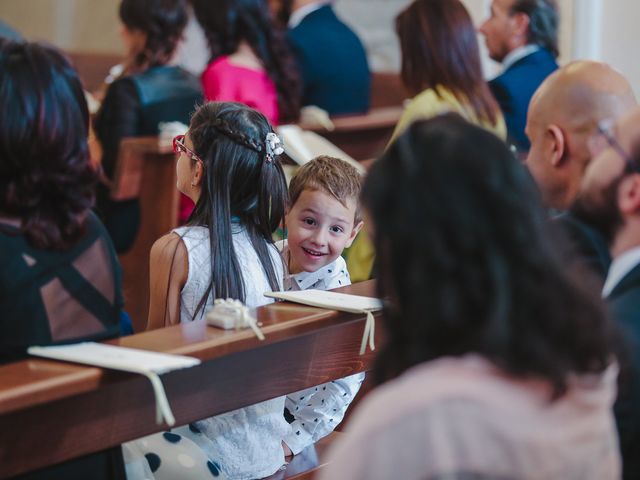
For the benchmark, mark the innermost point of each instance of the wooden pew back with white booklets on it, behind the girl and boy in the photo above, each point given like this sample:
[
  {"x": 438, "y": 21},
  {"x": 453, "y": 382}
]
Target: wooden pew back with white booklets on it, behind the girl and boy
[{"x": 75, "y": 410}]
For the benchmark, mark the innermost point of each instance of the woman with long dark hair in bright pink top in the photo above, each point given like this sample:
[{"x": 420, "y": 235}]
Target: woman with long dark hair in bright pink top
[{"x": 250, "y": 59}]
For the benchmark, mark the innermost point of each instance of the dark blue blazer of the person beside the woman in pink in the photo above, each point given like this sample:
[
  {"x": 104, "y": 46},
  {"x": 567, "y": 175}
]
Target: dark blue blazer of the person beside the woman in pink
[{"x": 332, "y": 62}]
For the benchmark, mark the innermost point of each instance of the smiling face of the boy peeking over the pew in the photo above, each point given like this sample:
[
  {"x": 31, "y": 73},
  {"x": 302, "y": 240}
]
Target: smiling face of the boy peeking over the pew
[{"x": 319, "y": 228}]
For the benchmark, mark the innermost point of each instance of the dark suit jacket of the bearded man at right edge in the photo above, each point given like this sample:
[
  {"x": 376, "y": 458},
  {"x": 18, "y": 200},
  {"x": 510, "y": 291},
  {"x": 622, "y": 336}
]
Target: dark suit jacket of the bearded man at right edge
[{"x": 624, "y": 302}]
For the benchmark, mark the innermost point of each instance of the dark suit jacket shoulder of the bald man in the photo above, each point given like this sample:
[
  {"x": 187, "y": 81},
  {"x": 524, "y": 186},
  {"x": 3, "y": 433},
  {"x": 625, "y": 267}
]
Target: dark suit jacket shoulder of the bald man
[{"x": 588, "y": 247}]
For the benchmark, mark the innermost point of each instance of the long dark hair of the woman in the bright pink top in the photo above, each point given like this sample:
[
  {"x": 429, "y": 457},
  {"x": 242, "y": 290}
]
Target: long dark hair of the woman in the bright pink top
[{"x": 228, "y": 23}]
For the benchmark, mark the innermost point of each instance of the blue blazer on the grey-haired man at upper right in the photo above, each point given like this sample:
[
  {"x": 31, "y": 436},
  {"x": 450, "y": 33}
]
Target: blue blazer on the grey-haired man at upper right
[{"x": 514, "y": 88}]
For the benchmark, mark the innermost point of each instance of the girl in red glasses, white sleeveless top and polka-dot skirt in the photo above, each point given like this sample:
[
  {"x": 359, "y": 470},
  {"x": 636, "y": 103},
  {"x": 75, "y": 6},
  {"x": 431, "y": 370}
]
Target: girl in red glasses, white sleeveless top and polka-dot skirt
[{"x": 228, "y": 165}]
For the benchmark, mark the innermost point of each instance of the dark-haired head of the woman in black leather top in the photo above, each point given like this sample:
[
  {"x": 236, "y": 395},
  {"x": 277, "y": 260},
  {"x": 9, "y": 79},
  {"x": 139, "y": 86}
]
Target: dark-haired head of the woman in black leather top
[{"x": 152, "y": 30}]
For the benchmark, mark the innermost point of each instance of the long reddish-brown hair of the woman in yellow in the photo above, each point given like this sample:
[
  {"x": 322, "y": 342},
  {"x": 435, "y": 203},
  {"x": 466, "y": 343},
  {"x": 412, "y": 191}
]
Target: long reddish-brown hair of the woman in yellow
[{"x": 439, "y": 47}]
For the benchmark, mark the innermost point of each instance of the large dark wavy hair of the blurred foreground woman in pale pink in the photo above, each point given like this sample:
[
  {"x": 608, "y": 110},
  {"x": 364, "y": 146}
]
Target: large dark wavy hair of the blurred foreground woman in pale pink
[{"x": 468, "y": 264}]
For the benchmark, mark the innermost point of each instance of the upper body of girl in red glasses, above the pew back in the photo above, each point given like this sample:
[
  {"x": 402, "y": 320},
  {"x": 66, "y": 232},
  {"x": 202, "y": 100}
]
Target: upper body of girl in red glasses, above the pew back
[{"x": 239, "y": 193}]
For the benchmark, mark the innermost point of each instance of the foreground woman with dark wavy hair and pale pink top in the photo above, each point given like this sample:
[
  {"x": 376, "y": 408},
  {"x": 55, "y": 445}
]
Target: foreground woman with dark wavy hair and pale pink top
[{"x": 497, "y": 362}]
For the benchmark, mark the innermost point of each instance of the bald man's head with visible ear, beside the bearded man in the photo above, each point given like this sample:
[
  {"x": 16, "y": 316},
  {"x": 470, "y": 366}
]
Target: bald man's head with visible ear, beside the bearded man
[{"x": 563, "y": 115}]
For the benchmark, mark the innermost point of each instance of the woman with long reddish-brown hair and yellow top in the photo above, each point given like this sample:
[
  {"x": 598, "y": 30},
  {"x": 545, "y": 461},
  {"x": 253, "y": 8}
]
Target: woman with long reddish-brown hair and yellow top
[{"x": 441, "y": 65}]
